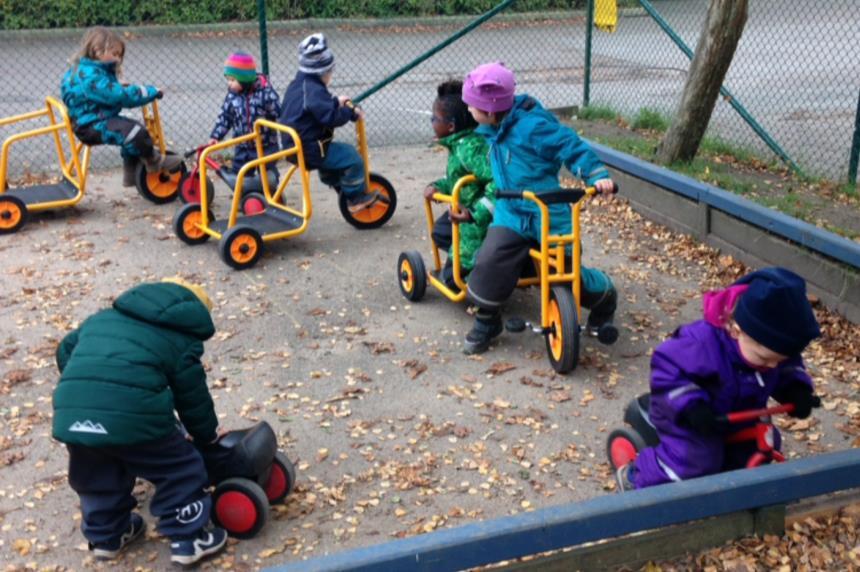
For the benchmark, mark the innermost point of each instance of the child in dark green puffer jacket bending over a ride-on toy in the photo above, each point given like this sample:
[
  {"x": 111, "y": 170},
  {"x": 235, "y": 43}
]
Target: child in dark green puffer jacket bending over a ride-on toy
[{"x": 125, "y": 374}]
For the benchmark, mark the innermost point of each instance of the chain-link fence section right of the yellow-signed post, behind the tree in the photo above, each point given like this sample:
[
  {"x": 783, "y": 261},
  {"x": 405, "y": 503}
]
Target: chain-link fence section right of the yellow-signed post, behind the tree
[{"x": 796, "y": 71}]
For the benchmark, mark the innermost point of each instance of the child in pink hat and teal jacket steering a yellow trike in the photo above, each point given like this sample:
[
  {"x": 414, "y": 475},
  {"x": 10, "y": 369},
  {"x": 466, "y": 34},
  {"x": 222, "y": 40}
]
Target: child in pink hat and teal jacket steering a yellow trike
[{"x": 528, "y": 147}]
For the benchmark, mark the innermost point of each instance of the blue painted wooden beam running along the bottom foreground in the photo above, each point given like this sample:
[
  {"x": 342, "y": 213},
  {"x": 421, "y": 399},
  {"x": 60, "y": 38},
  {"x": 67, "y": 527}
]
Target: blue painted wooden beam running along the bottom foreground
[{"x": 599, "y": 518}]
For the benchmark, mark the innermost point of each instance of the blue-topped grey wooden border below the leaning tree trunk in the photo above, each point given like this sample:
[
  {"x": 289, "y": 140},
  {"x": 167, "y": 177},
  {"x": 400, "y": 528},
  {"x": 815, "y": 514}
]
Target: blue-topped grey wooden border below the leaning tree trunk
[{"x": 752, "y": 233}]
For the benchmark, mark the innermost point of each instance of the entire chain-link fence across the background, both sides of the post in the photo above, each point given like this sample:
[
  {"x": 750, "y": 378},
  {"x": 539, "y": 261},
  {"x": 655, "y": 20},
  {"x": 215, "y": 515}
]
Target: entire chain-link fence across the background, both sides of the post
[{"x": 797, "y": 71}]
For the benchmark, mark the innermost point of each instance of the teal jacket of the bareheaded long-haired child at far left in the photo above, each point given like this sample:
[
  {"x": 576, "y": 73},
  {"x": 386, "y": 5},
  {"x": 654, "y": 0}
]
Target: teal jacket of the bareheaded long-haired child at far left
[{"x": 92, "y": 92}]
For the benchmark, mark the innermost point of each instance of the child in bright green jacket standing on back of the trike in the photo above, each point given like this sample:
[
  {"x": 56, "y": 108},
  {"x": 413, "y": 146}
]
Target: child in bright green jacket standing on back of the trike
[{"x": 454, "y": 128}]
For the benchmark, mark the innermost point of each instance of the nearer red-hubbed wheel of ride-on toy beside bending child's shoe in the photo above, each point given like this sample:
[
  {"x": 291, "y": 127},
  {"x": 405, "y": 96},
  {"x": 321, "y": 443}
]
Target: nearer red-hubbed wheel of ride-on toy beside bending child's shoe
[{"x": 240, "y": 507}]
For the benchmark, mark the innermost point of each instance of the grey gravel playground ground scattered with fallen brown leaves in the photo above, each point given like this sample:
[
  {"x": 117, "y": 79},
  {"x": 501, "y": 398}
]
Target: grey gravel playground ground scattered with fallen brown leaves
[{"x": 394, "y": 431}]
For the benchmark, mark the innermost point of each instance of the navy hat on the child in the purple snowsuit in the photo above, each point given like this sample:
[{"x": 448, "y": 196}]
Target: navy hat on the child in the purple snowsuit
[{"x": 775, "y": 312}]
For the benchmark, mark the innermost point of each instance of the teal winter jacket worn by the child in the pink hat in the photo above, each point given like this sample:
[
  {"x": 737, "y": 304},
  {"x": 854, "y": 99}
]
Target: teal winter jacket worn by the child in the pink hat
[{"x": 527, "y": 150}]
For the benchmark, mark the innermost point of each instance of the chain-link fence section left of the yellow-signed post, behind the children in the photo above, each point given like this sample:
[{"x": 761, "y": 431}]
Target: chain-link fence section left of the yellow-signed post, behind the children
[{"x": 546, "y": 51}]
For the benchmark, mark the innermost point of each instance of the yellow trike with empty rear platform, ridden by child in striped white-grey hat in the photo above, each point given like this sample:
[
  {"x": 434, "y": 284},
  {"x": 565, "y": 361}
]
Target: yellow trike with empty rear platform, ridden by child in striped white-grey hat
[{"x": 241, "y": 236}]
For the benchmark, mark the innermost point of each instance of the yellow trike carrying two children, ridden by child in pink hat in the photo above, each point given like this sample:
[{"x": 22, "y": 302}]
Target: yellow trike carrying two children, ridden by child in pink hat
[{"x": 557, "y": 273}]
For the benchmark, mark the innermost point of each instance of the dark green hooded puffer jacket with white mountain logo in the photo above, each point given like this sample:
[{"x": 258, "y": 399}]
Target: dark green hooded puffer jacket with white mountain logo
[{"x": 126, "y": 369}]
